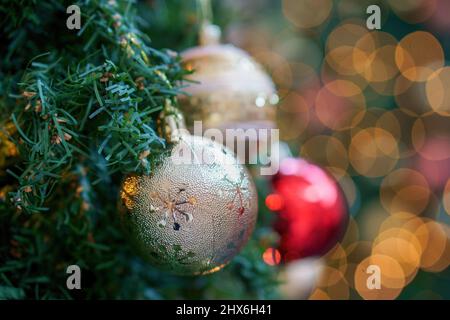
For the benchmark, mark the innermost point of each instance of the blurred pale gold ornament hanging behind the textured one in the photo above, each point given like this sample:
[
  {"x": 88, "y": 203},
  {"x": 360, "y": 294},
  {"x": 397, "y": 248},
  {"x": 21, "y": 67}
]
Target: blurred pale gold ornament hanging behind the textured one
[{"x": 230, "y": 89}]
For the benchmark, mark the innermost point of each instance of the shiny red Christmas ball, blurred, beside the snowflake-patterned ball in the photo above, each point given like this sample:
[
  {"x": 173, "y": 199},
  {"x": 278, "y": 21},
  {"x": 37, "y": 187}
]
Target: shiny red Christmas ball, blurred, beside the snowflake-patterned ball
[{"x": 312, "y": 211}]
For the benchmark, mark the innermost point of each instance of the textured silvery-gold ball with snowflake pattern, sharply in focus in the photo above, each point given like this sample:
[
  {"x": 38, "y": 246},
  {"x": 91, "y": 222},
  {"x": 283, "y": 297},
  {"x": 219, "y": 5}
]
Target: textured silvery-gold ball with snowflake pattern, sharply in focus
[{"x": 197, "y": 208}]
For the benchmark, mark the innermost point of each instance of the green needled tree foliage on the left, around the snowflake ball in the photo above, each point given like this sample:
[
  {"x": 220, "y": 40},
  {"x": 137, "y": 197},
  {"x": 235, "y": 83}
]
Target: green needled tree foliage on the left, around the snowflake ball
[{"x": 84, "y": 105}]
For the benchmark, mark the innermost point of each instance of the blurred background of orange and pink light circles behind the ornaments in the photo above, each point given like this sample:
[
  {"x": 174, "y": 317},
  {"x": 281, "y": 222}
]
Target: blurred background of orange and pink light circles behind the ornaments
[{"x": 372, "y": 107}]
